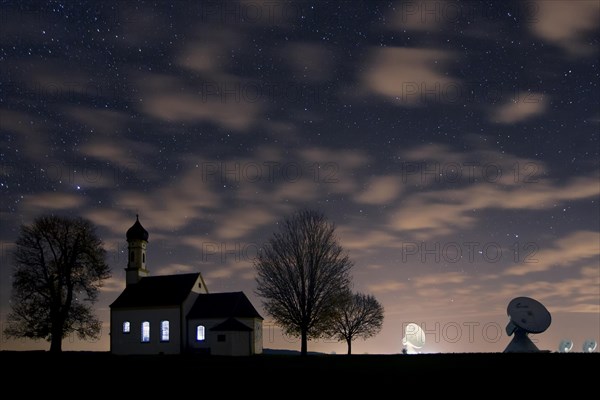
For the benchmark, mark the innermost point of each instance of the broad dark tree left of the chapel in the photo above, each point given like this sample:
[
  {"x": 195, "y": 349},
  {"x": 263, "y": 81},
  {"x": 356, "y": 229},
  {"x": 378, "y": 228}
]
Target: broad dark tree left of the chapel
[{"x": 59, "y": 266}]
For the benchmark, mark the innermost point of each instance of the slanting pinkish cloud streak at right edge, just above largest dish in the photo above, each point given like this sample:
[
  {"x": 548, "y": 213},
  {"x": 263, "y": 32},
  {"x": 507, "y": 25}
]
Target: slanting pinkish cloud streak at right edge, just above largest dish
[{"x": 566, "y": 252}]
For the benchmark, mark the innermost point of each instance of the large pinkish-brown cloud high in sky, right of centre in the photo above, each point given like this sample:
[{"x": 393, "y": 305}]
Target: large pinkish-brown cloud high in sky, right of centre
[{"x": 408, "y": 76}]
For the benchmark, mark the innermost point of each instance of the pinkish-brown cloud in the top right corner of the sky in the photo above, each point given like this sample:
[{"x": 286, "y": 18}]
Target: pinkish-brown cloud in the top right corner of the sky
[{"x": 568, "y": 24}]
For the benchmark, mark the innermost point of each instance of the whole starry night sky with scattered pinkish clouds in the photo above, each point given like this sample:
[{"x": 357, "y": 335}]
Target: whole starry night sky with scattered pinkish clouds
[{"x": 455, "y": 145}]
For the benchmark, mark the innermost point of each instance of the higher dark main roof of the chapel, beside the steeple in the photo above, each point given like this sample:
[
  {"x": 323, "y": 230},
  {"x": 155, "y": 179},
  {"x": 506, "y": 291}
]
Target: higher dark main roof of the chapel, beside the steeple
[{"x": 153, "y": 291}]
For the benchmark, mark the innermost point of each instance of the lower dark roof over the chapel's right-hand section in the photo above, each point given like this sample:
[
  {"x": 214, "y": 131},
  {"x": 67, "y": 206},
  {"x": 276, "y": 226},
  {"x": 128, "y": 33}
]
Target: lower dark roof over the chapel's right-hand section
[{"x": 222, "y": 305}]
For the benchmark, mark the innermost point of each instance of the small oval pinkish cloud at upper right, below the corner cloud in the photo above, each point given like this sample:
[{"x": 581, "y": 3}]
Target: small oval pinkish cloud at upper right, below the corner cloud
[{"x": 525, "y": 106}]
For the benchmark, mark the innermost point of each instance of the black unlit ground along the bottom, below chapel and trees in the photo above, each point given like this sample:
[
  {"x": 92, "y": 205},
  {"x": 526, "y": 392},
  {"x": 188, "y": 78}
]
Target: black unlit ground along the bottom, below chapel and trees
[{"x": 45, "y": 373}]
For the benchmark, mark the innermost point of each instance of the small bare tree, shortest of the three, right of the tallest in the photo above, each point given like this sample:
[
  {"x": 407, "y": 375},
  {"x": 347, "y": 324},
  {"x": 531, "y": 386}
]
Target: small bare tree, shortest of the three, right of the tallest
[{"x": 359, "y": 315}]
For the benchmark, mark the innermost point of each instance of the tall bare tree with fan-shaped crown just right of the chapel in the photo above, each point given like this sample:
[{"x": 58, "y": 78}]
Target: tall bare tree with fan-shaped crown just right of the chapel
[{"x": 302, "y": 272}]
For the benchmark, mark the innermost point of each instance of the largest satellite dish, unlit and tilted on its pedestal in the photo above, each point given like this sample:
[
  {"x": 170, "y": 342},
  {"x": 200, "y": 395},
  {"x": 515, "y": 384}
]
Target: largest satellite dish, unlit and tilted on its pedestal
[{"x": 526, "y": 316}]
